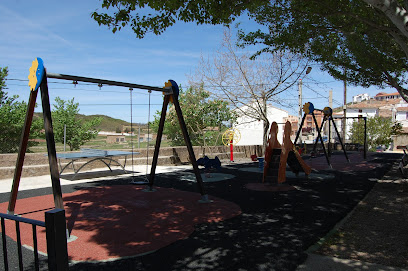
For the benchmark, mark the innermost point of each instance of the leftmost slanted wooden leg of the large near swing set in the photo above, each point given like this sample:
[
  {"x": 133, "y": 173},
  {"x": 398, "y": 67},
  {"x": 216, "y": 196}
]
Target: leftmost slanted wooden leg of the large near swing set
[{"x": 22, "y": 151}]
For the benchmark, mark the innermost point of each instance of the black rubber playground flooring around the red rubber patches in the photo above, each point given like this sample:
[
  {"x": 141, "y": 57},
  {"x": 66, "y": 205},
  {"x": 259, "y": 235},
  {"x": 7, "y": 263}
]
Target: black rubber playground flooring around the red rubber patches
[{"x": 272, "y": 233}]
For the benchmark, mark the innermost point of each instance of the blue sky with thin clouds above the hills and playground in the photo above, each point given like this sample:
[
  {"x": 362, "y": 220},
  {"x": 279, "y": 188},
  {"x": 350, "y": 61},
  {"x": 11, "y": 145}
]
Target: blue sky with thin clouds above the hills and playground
[{"x": 69, "y": 41}]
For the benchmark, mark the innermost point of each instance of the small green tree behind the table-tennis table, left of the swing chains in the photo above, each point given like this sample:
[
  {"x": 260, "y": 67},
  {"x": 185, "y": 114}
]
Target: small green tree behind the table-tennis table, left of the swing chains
[{"x": 77, "y": 132}]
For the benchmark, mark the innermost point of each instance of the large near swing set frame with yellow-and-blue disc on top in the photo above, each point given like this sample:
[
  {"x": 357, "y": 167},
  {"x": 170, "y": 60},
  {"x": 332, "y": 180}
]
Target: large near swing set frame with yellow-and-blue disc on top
[{"x": 38, "y": 80}]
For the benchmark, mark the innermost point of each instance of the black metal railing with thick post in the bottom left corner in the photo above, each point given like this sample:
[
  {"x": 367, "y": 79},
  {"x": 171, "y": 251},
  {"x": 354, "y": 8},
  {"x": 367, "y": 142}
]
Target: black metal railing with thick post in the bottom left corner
[{"x": 55, "y": 228}]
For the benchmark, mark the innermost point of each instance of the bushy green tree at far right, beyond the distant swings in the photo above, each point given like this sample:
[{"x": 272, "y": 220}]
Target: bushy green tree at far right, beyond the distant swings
[{"x": 379, "y": 131}]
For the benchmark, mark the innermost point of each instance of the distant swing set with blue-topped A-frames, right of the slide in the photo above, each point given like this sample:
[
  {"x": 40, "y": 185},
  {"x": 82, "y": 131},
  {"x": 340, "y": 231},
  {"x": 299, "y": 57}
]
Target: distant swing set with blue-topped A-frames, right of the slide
[{"x": 308, "y": 108}]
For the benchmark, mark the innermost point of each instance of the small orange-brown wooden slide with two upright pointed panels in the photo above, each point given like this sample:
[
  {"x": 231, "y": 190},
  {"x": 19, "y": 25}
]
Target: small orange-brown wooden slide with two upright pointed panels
[{"x": 277, "y": 156}]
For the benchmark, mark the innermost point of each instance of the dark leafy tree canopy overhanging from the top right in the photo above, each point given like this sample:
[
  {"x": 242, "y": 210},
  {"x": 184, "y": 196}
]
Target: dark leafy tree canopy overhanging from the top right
[{"x": 361, "y": 41}]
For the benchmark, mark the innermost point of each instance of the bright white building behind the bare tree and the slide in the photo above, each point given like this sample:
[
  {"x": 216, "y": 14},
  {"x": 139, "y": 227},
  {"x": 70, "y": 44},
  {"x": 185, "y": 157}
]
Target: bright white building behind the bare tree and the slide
[{"x": 252, "y": 129}]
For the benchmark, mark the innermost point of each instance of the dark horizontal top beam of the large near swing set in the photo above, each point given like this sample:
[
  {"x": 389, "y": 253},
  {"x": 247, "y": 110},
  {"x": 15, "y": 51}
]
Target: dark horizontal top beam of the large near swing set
[{"x": 106, "y": 82}]
